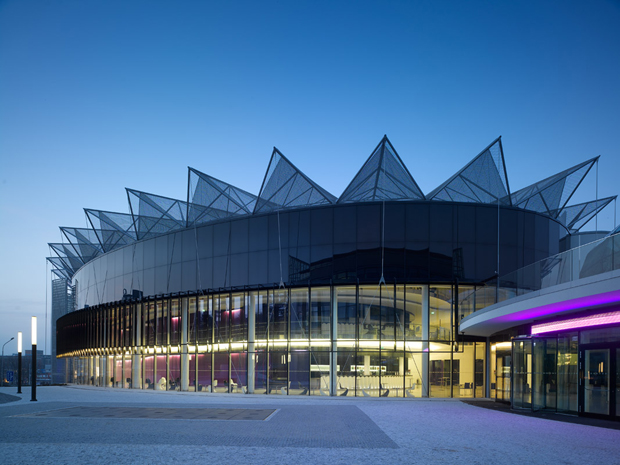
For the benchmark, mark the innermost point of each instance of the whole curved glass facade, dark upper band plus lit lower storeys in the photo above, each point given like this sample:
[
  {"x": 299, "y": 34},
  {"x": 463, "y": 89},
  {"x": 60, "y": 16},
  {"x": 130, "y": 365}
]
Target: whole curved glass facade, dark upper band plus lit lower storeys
[{"x": 352, "y": 300}]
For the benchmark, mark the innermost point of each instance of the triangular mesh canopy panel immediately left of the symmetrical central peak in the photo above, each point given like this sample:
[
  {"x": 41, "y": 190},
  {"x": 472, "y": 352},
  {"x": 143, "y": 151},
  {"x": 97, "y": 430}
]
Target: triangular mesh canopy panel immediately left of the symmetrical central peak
[{"x": 285, "y": 186}]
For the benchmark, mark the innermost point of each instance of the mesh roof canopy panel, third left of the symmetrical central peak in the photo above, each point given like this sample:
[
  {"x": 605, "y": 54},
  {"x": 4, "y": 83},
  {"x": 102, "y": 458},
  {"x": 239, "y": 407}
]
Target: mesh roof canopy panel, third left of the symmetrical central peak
[{"x": 168, "y": 214}]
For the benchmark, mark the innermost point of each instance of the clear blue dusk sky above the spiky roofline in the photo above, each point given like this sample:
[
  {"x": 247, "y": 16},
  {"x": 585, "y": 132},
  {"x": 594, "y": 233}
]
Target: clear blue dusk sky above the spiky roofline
[{"x": 97, "y": 96}]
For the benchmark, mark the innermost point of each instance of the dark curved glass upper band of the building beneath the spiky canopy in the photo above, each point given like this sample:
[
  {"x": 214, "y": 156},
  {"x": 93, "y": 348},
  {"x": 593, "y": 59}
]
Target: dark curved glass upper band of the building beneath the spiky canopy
[{"x": 405, "y": 241}]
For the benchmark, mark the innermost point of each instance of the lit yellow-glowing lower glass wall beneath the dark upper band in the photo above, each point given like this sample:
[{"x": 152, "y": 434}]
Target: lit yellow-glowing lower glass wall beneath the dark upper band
[{"x": 388, "y": 340}]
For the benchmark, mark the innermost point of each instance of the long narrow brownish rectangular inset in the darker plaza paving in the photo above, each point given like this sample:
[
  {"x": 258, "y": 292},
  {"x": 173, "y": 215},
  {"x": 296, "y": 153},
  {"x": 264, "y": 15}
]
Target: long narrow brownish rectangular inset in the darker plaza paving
[{"x": 158, "y": 413}]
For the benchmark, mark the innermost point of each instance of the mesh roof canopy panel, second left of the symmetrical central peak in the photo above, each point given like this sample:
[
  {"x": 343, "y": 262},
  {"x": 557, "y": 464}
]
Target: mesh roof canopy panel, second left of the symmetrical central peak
[{"x": 211, "y": 199}]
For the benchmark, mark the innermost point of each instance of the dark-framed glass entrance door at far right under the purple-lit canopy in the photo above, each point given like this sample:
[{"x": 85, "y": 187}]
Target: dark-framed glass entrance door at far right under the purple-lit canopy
[{"x": 596, "y": 385}]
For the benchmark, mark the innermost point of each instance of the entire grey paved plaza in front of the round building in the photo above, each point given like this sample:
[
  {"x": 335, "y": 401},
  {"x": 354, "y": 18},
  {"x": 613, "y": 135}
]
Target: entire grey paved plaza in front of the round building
[{"x": 76, "y": 424}]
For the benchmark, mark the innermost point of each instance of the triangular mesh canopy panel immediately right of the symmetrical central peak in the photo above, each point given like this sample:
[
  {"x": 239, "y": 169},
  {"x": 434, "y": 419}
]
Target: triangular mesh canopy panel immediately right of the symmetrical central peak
[{"x": 482, "y": 180}]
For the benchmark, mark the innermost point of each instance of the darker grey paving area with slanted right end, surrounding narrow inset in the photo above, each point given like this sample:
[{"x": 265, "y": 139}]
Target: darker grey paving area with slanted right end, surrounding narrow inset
[{"x": 300, "y": 426}]
